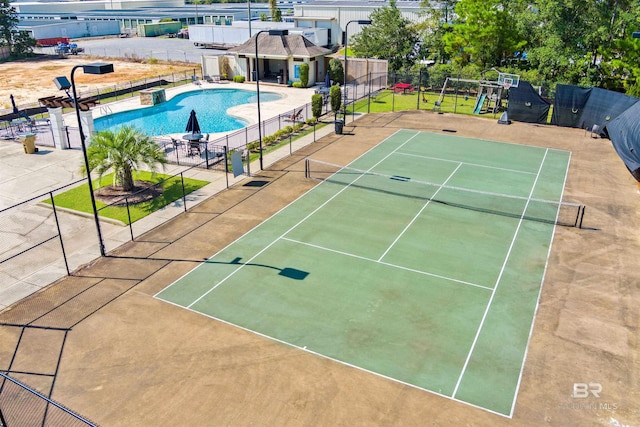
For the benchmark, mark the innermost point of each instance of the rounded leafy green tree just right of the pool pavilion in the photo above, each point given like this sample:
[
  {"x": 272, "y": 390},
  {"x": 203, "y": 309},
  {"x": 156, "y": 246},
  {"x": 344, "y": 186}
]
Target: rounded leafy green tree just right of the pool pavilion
[{"x": 390, "y": 37}]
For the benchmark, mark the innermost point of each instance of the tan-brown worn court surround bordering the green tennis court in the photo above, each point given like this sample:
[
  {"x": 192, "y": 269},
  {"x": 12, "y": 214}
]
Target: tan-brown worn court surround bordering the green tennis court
[{"x": 123, "y": 358}]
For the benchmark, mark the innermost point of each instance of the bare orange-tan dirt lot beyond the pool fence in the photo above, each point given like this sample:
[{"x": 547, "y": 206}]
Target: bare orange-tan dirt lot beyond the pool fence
[{"x": 31, "y": 79}]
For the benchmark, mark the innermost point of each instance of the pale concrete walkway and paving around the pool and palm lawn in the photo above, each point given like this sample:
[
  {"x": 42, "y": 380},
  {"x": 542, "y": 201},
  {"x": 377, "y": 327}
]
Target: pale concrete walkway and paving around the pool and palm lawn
[{"x": 23, "y": 177}]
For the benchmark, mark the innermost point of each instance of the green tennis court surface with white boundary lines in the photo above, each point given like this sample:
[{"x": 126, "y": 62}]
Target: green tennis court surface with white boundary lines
[{"x": 428, "y": 285}]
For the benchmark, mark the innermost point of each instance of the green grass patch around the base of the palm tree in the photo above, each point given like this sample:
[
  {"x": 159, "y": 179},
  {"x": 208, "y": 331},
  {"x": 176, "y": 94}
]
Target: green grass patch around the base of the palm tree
[{"x": 78, "y": 198}]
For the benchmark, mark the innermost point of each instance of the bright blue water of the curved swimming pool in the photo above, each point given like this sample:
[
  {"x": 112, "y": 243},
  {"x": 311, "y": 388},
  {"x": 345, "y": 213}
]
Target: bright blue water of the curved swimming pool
[{"x": 210, "y": 106}]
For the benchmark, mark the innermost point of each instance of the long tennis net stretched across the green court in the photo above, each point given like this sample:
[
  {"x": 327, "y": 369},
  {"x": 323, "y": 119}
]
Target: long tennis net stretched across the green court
[{"x": 547, "y": 211}]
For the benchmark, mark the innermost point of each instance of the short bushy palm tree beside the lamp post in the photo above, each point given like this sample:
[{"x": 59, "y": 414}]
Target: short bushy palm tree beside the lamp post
[{"x": 123, "y": 152}]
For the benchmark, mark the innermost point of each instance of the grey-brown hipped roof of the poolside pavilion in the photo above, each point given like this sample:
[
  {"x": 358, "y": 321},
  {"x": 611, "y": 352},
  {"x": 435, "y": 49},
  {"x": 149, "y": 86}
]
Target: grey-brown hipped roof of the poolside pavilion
[{"x": 280, "y": 47}]
